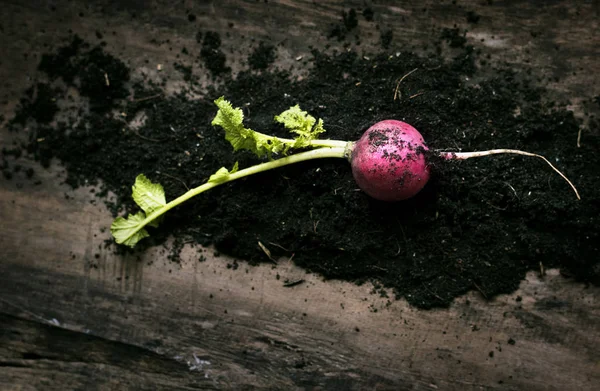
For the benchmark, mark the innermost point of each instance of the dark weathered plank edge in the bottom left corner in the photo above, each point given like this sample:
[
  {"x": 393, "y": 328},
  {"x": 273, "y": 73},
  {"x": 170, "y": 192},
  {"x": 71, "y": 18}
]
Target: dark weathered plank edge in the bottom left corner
[{"x": 46, "y": 356}]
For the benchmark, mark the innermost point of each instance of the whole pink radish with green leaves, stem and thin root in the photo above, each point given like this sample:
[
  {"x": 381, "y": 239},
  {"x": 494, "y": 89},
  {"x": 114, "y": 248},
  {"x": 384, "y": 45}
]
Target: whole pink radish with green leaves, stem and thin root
[{"x": 389, "y": 162}]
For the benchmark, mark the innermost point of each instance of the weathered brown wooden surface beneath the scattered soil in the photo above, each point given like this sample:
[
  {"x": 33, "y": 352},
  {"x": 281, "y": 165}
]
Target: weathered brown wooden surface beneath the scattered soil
[{"x": 75, "y": 316}]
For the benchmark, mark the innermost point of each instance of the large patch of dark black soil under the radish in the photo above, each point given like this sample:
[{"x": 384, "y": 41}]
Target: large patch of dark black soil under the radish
[{"x": 479, "y": 225}]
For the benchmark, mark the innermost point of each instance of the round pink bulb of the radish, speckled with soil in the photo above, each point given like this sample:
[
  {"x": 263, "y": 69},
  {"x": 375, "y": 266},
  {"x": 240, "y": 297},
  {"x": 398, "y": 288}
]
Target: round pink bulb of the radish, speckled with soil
[{"x": 389, "y": 162}]
